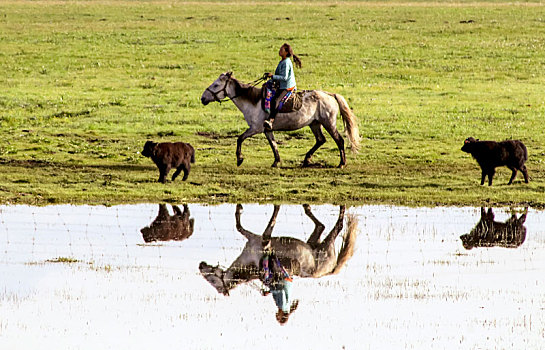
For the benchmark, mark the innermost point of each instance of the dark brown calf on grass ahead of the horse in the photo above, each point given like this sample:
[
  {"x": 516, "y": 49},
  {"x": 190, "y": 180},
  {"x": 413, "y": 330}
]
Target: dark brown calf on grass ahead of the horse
[{"x": 168, "y": 155}]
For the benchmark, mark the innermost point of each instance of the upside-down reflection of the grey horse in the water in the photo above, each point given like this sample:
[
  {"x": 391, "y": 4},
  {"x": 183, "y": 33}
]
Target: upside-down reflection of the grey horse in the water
[{"x": 311, "y": 259}]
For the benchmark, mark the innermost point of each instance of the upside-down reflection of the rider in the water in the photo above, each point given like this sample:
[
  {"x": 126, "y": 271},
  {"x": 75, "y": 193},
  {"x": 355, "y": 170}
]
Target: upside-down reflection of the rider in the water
[{"x": 279, "y": 283}]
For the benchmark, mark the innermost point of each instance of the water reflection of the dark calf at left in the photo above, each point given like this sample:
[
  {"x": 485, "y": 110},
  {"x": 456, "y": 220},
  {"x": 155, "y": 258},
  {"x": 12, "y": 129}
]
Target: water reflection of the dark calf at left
[{"x": 169, "y": 228}]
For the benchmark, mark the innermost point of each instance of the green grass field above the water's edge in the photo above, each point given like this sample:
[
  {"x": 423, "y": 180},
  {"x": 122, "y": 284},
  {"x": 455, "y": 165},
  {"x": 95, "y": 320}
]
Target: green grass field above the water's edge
[{"x": 84, "y": 84}]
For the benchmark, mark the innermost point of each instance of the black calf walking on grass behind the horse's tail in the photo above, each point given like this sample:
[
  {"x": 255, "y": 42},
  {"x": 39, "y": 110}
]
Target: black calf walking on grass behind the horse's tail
[{"x": 492, "y": 154}]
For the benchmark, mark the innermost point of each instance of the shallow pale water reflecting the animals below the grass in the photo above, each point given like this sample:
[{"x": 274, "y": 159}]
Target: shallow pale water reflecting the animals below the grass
[{"x": 128, "y": 277}]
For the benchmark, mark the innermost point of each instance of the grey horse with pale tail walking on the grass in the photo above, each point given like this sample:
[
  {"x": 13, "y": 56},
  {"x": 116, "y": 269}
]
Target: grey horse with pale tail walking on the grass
[{"x": 319, "y": 109}]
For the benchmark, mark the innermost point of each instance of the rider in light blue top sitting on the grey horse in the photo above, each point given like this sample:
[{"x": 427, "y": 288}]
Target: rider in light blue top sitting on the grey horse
[{"x": 285, "y": 76}]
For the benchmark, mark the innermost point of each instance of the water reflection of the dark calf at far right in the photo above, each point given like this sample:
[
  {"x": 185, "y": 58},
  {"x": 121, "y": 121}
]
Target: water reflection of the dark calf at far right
[{"x": 490, "y": 233}]
